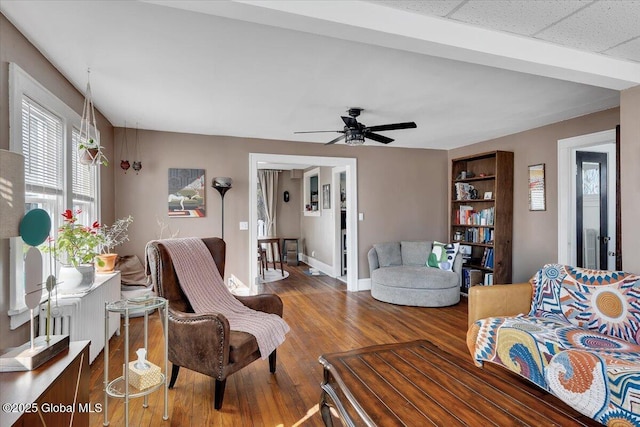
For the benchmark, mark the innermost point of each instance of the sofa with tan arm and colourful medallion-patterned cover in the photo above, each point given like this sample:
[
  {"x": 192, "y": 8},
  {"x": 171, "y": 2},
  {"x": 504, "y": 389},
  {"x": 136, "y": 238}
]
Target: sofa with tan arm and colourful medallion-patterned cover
[{"x": 572, "y": 331}]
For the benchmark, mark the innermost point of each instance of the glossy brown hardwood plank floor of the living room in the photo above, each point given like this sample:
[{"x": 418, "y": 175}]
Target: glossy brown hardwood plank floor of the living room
[{"x": 324, "y": 318}]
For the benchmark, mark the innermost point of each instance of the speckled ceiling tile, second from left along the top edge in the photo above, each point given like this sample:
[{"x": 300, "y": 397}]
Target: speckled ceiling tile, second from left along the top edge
[{"x": 520, "y": 17}]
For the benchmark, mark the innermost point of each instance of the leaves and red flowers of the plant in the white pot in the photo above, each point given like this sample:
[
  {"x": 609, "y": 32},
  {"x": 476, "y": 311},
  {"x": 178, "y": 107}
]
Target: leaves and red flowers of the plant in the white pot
[{"x": 76, "y": 243}]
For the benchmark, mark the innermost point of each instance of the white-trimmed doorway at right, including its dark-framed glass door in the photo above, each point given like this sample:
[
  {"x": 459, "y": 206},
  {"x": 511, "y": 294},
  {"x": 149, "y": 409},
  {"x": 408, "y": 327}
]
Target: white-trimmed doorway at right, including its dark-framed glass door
[{"x": 586, "y": 222}]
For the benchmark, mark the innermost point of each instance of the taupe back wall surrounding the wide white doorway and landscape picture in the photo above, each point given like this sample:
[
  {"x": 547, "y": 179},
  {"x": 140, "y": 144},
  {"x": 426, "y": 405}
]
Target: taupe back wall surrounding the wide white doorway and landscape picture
[{"x": 399, "y": 191}]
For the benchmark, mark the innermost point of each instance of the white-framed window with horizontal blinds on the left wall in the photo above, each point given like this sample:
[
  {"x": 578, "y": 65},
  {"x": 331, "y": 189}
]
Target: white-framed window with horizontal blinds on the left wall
[{"x": 46, "y": 132}]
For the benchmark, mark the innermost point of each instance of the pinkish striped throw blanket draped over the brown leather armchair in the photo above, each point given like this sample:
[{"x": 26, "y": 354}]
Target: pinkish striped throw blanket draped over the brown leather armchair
[{"x": 204, "y": 287}]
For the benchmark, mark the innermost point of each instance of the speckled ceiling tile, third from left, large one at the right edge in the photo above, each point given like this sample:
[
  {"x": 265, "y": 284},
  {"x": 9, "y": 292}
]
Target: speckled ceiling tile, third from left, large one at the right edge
[{"x": 597, "y": 27}]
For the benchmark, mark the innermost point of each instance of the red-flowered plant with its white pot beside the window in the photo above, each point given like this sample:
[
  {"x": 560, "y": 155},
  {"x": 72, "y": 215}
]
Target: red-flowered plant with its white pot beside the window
[{"x": 76, "y": 248}]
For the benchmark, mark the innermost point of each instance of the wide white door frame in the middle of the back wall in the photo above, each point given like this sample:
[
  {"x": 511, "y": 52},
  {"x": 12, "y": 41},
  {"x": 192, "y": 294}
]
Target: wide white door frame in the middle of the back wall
[{"x": 350, "y": 168}]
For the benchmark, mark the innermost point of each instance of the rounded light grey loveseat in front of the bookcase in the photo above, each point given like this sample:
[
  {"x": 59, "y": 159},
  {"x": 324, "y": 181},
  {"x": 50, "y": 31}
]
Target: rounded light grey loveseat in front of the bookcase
[{"x": 400, "y": 273}]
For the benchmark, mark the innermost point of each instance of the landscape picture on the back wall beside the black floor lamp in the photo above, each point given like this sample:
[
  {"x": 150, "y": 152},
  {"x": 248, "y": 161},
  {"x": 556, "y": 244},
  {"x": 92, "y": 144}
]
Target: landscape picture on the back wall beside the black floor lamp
[{"x": 186, "y": 193}]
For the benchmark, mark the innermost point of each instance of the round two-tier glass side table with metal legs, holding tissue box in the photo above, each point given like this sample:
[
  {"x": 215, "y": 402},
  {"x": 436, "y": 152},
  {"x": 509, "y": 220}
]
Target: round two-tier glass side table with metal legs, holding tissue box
[{"x": 120, "y": 386}]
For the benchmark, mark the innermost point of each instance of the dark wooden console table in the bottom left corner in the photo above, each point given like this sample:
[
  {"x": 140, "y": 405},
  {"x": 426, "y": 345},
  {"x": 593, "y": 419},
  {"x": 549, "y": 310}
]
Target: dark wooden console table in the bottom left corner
[{"x": 46, "y": 395}]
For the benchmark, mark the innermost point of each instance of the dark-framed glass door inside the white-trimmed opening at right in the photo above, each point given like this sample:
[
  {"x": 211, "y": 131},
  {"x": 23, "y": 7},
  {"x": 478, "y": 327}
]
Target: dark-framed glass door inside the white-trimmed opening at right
[{"x": 592, "y": 235}]
